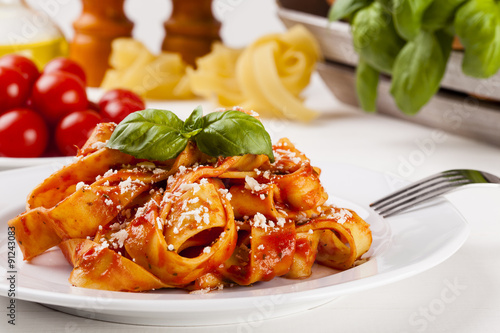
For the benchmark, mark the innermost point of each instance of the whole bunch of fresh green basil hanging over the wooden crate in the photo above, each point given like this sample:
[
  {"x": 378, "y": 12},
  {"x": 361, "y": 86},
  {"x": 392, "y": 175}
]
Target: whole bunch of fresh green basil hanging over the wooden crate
[{"x": 411, "y": 41}]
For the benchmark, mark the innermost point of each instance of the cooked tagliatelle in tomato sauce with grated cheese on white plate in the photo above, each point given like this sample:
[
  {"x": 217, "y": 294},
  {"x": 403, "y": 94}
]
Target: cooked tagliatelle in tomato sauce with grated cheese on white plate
[{"x": 194, "y": 222}]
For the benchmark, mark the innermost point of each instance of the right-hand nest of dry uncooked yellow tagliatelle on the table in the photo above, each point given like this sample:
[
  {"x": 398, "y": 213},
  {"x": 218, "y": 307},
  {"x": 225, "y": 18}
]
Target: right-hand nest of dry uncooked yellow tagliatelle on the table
[{"x": 267, "y": 76}]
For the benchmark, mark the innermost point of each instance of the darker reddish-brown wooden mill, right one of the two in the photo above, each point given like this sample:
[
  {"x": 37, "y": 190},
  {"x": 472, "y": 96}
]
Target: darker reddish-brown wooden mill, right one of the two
[{"x": 191, "y": 29}]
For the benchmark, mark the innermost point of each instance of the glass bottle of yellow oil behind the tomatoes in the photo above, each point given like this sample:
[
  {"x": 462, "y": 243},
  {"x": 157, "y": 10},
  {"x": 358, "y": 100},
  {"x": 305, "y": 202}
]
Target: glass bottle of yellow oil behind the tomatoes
[{"x": 29, "y": 32}]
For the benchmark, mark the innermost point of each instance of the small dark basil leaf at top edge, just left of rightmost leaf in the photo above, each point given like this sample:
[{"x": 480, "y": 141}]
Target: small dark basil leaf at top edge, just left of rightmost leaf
[{"x": 440, "y": 14}]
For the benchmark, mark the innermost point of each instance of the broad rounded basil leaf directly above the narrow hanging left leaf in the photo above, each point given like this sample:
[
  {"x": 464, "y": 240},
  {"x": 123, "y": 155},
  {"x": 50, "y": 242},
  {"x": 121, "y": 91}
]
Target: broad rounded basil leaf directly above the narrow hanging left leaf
[{"x": 375, "y": 38}]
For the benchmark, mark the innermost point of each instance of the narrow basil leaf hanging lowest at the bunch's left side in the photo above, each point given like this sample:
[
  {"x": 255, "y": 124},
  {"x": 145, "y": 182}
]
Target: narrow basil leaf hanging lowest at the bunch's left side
[{"x": 367, "y": 79}]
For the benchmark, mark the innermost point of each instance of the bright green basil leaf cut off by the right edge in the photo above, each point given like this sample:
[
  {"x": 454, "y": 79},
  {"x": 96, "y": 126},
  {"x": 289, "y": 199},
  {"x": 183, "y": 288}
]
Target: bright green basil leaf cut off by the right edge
[{"x": 477, "y": 23}]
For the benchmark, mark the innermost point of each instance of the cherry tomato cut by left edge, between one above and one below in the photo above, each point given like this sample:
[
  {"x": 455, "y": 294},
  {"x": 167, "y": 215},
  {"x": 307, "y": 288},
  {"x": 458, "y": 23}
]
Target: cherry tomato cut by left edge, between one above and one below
[{"x": 14, "y": 88}]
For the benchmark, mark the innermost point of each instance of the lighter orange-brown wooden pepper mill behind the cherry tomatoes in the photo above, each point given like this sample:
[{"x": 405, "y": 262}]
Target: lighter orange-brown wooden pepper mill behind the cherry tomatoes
[{"x": 100, "y": 22}]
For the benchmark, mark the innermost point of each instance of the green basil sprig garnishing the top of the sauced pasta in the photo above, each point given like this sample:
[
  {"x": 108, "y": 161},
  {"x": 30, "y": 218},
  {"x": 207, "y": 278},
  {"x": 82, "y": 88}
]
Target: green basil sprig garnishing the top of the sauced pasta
[{"x": 160, "y": 135}]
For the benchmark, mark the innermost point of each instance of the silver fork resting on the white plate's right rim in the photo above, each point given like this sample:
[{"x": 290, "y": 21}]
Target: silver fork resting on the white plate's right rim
[{"x": 429, "y": 188}]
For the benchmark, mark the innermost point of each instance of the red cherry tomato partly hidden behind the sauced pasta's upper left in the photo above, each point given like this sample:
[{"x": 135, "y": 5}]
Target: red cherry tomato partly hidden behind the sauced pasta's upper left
[{"x": 74, "y": 130}]
